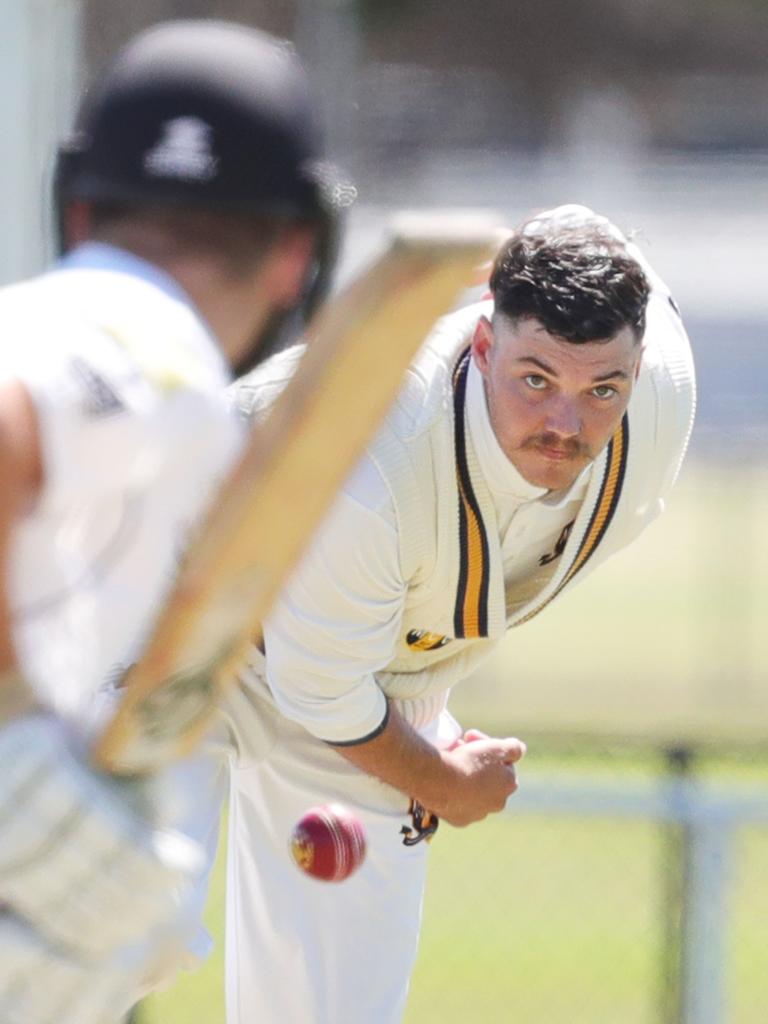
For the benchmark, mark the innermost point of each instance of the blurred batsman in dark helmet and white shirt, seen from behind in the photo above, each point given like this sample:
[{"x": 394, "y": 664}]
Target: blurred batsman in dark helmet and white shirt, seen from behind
[{"x": 196, "y": 215}]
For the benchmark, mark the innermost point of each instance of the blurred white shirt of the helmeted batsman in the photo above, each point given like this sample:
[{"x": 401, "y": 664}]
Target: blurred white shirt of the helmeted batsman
[{"x": 127, "y": 385}]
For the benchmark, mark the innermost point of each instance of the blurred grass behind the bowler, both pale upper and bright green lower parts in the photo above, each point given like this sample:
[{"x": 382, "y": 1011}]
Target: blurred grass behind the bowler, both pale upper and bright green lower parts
[{"x": 561, "y": 920}]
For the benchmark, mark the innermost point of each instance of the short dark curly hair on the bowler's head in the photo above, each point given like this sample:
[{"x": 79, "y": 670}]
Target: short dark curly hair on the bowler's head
[{"x": 578, "y": 281}]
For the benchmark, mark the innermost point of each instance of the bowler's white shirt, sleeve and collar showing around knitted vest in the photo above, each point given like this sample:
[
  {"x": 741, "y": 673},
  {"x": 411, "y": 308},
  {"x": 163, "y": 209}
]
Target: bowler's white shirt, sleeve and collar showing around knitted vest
[{"x": 339, "y": 620}]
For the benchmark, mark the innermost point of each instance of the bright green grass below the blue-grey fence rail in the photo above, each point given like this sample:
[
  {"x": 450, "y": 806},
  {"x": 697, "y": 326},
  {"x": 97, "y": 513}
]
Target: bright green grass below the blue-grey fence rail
[{"x": 540, "y": 919}]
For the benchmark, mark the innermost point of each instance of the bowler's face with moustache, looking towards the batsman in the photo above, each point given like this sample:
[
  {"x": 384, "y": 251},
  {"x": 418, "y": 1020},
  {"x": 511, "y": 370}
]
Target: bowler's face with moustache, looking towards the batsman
[{"x": 554, "y": 405}]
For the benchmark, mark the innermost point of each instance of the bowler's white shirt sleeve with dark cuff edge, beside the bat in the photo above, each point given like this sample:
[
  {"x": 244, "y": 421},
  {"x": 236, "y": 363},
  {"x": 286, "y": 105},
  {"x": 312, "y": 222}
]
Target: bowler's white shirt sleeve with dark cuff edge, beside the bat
[{"x": 337, "y": 622}]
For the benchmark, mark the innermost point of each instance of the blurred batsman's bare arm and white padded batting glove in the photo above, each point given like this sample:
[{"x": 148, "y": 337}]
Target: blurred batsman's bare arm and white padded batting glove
[{"x": 78, "y": 865}]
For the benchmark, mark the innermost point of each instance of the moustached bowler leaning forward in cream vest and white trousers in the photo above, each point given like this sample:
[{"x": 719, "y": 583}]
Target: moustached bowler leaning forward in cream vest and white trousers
[{"x": 539, "y": 432}]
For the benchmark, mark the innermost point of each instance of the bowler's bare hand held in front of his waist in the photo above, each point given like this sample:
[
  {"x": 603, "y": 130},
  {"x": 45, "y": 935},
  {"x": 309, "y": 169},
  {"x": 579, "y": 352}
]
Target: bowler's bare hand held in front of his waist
[{"x": 484, "y": 778}]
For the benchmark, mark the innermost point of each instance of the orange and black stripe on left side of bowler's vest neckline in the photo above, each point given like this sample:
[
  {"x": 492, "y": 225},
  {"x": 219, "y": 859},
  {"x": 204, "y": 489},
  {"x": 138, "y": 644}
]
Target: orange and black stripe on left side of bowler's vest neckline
[{"x": 472, "y": 610}]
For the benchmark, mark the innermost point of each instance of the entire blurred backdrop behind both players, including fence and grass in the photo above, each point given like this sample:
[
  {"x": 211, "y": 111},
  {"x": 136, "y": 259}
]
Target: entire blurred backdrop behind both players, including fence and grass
[{"x": 629, "y": 881}]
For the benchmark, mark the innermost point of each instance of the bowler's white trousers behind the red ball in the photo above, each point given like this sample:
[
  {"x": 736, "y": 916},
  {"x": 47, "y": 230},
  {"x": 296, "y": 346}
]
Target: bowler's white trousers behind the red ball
[{"x": 302, "y": 951}]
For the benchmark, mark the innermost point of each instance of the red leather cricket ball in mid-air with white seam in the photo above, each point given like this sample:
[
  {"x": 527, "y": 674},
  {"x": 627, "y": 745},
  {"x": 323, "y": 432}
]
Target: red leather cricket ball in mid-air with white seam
[{"x": 329, "y": 843}]
